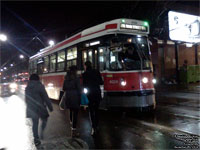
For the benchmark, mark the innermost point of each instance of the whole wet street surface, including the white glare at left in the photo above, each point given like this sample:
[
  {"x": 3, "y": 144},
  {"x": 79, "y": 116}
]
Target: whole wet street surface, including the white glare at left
[{"x": 169, "y": 127}]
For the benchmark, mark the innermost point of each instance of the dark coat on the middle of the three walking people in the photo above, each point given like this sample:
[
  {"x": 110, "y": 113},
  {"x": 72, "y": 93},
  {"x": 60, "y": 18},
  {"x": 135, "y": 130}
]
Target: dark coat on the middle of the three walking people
[{"x": 72, "y": 88}]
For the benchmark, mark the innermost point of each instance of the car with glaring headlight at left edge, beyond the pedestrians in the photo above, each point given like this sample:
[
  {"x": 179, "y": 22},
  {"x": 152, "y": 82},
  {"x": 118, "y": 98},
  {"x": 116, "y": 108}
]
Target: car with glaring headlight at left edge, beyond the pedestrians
[{"x": 7, "y": 87}]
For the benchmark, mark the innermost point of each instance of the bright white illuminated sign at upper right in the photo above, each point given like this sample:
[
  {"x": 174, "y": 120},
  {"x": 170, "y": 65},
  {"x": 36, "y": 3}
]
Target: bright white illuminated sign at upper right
[{"x": 184, "y": 27}]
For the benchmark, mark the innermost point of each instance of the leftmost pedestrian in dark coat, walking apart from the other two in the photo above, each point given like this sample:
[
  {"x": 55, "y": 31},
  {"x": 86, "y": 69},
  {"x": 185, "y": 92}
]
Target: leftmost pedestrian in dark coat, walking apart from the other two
[{"x": 37, "y": 101}]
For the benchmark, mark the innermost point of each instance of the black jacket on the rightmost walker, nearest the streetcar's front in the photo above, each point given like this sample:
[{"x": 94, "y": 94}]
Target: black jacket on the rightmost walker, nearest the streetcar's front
[{"x": 92, "y": 80}]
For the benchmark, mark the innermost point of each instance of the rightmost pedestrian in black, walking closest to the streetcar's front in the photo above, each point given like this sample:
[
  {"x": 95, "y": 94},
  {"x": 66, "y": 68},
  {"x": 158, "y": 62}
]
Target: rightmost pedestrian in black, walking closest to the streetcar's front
[{"x": 92, "y": 81}]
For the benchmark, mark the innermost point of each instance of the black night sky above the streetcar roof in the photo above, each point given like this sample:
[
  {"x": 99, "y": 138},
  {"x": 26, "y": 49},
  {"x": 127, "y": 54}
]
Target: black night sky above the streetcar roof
[{"x": 30, "y": 25}]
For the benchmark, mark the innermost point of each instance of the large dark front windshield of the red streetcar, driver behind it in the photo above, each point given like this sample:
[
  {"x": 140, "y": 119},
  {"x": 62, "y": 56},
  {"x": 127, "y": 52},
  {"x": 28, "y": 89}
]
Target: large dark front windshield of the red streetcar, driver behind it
[{"x": 132, "y": 55}]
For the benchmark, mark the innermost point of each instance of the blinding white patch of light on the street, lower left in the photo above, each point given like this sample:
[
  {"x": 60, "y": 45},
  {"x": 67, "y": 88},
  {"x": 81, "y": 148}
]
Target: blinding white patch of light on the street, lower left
[{"x": 15, "y": 133}]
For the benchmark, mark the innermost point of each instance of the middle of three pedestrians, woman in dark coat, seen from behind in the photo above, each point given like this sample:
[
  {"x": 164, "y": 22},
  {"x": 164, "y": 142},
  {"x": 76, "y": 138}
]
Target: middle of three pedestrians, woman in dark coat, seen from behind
[{"x": 72, "y": 88}]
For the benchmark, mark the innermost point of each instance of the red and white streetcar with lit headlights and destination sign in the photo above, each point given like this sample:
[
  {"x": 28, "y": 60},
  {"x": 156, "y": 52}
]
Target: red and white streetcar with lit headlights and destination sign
[{"x": 119, "y": 49}]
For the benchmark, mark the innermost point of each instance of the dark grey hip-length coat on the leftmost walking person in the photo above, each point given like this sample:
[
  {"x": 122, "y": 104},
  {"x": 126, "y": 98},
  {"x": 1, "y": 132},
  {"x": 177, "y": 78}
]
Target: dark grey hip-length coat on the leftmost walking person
[{"x": 37, "y": 100}]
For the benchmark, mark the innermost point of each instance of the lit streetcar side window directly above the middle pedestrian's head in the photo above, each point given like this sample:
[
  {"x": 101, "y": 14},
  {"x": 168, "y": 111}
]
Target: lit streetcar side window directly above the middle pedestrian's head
[{"x": 71, "y": 57}]
